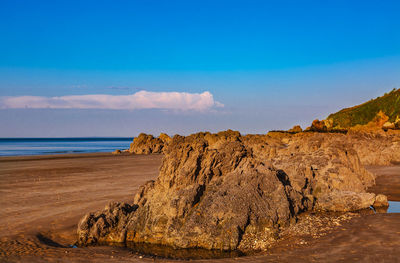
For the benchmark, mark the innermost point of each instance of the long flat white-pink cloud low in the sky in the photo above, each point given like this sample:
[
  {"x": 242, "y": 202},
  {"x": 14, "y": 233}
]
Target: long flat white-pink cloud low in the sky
[{"x": 139, "y": 100}]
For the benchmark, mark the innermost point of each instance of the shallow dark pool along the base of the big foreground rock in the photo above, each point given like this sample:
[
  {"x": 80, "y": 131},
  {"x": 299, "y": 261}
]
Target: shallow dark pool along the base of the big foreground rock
[{"x": 171, "y": 253}]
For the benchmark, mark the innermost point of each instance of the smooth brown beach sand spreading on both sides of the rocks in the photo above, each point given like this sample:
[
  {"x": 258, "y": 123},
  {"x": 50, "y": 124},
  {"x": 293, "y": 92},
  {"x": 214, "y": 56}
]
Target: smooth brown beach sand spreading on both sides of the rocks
[{"x": 43, "y": 197}]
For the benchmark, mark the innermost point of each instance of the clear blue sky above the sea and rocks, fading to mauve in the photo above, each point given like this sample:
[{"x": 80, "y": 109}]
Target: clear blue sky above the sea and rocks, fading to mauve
[{"x": 272, "y": 64}]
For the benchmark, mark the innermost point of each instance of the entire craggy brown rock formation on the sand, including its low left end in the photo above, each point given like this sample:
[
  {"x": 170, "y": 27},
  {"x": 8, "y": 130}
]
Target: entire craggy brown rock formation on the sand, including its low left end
[{"x": 227, "y": 191}]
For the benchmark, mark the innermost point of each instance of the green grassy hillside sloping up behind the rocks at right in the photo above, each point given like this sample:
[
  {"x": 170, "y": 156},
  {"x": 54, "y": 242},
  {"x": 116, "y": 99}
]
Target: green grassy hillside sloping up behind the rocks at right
[{"x": 364, "y": 113}]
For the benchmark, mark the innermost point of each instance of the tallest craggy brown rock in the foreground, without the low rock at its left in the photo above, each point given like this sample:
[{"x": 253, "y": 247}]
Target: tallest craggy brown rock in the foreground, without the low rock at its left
[{"x": 212, "y": 193}]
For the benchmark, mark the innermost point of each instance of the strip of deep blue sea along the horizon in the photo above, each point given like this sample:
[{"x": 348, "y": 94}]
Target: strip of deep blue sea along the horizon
[{"x": 40, "y": 146}]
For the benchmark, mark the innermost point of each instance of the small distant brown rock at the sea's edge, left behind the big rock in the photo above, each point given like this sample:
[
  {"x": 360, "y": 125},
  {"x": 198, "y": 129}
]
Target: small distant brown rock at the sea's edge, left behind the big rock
[{"x": 147, "y": 144}]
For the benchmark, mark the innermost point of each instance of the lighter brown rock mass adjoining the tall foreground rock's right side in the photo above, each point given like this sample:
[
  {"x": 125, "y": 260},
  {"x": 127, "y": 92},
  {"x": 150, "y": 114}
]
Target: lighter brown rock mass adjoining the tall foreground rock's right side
[{"x": 319, "y": 165}]
